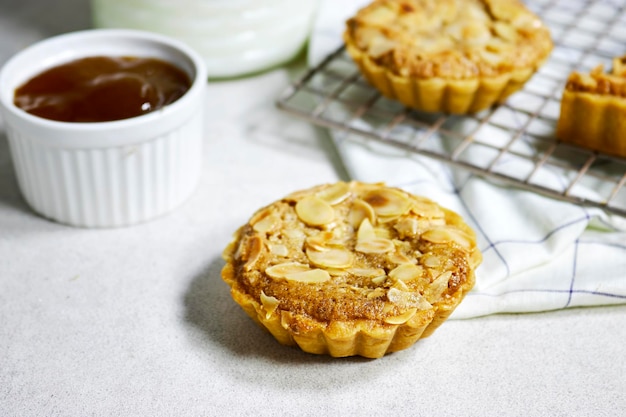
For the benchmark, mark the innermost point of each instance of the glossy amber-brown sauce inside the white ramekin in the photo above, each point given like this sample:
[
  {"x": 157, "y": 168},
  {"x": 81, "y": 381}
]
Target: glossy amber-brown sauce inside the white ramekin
[{"x": 102, "y": 88}]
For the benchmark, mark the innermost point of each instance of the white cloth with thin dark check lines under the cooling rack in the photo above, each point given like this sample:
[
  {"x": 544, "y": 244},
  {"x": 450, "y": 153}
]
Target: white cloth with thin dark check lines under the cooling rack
[{"x": 539, "y": 254}]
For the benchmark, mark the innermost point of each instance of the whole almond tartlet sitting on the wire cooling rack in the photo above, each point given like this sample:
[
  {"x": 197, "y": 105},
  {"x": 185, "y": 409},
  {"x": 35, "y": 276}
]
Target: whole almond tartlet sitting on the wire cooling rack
[{"x": 453, "y": 56}]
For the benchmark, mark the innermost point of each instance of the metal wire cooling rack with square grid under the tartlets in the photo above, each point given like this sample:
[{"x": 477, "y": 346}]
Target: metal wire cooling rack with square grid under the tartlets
[{"x": 515, "y": 140}]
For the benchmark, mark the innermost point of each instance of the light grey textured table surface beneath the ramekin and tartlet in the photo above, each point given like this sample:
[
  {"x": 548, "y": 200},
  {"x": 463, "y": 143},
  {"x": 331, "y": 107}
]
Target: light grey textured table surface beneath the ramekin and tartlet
[{"x": 137, "y": 321}]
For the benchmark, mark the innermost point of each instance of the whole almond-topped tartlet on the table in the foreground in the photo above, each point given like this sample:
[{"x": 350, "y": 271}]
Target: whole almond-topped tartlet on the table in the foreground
[{"x": 349, "y": 269}]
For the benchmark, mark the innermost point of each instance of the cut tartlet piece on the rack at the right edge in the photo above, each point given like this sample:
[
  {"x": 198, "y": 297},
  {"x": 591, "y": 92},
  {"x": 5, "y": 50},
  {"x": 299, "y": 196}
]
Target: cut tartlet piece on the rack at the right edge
[{"x": 593, "y": 109}]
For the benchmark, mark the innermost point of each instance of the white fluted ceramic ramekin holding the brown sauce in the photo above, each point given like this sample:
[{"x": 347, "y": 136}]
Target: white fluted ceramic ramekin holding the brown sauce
[{"x": 106, "y": 174}]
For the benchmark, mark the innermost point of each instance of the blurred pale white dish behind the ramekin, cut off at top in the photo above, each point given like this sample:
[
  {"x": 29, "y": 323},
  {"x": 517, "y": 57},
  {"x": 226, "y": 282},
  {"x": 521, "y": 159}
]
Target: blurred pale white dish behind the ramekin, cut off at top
[{"x": 235, "y": 37}]
